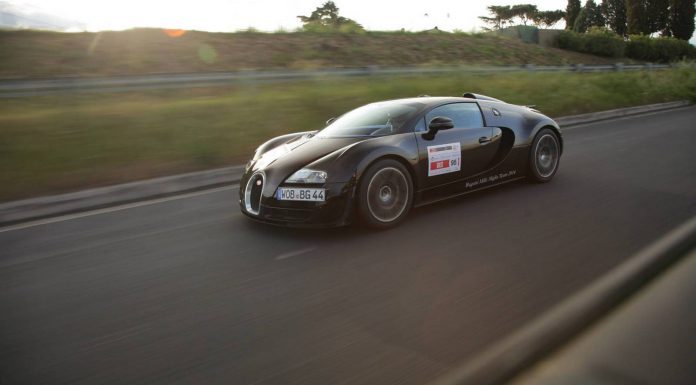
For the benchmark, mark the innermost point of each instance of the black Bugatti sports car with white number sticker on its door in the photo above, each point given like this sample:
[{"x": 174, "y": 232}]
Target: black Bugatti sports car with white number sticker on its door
[{"x": 379, "y": 160}]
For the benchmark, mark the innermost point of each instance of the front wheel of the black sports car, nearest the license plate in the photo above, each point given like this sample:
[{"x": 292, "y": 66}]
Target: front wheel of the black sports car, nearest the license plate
[{"x": 385, "y": 194}]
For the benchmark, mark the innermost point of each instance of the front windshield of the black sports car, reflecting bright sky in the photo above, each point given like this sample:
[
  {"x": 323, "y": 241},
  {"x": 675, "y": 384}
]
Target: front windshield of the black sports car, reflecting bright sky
[{"x": 376, "y": 119}]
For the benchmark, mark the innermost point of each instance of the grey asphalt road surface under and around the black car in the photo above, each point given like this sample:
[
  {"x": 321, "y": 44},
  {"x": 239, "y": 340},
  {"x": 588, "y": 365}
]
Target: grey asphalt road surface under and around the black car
[{"x": 187, "y": 291}]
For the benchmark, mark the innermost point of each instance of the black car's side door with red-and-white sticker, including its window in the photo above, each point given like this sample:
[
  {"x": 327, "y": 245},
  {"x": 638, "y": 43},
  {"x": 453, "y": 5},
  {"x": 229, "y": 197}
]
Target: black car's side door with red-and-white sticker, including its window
[{"x": 457, "y": 153}]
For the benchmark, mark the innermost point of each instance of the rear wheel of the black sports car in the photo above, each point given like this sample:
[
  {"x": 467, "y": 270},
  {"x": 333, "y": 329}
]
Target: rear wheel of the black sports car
[{"x": 544, "y": 156}]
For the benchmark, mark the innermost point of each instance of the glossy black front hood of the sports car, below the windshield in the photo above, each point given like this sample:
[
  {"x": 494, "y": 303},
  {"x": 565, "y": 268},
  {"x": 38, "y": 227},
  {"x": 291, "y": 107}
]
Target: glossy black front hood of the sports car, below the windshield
[{"x": 283, "y": 160}]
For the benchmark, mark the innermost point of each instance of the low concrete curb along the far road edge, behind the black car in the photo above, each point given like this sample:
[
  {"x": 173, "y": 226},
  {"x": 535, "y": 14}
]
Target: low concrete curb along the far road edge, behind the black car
[{"x": 85, "y": 200}]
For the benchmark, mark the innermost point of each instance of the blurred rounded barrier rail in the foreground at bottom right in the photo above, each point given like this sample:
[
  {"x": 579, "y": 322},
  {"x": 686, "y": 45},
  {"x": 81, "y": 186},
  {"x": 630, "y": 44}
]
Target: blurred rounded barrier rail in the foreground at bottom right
[{"x": 555, "y": 327}]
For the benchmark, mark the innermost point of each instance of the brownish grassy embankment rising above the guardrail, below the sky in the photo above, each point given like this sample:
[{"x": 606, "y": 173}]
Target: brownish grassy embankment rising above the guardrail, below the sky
[{"x": 34, "y": 54}]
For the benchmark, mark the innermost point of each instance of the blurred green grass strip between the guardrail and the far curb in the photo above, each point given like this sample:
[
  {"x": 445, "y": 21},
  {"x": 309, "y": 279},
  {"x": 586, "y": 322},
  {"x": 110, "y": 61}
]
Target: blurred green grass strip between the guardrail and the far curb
[{"x": 68, "y": 142}]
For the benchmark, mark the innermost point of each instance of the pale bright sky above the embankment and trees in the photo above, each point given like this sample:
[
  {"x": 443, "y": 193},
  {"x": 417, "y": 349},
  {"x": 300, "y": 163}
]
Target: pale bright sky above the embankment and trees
[{"x": 264, "y": 15}]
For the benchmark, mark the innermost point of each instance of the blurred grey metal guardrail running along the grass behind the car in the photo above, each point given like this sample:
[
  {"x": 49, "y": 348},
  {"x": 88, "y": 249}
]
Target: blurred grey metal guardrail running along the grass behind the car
[{"x": 23, "y": 88}]
